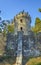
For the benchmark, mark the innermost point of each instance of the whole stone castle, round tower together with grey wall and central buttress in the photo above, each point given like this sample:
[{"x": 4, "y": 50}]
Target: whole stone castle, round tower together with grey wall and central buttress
[{"x": 28, "y": 46}]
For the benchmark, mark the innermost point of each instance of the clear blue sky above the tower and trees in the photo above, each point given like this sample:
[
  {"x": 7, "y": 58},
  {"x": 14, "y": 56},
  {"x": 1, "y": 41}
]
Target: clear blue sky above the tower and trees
[{"x": 9, "y": 8}]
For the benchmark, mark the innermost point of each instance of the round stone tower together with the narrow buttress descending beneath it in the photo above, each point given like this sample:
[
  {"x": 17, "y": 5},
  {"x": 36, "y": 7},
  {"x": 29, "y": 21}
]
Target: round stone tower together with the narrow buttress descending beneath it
[{"x": 22, "y": 27}]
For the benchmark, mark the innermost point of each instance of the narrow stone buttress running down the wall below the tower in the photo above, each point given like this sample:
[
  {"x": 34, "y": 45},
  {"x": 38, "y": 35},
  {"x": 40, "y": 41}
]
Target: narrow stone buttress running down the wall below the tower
[{"x": 19, "y": 49}]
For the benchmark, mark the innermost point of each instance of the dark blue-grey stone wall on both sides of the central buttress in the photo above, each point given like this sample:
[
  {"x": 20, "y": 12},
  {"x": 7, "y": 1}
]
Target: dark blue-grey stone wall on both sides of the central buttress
[{"x": 29, "y": 44}]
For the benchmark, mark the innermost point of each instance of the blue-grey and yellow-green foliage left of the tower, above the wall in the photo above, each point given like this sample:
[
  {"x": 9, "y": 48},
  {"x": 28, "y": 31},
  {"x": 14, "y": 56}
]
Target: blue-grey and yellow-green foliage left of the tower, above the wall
[{"x": 6, "y": 27}]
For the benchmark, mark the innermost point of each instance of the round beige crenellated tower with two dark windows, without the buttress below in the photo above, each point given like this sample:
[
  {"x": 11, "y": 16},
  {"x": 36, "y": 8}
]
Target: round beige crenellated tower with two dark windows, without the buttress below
[{"x": 22, "y": 22}]
